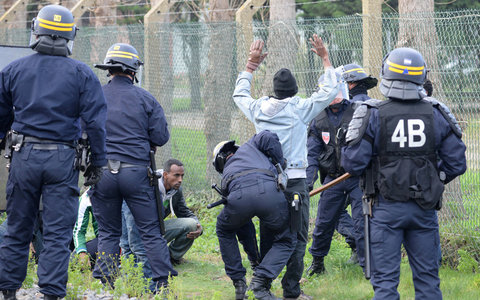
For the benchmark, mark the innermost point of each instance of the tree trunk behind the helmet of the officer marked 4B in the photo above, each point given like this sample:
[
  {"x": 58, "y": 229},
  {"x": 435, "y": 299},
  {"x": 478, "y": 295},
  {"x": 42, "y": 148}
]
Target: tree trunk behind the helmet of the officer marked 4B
[{"x": 417, "y": 30}]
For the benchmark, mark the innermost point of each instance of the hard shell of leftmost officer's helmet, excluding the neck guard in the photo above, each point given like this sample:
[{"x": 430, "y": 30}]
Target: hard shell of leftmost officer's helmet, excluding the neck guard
[{"x": 55, "y": 21}]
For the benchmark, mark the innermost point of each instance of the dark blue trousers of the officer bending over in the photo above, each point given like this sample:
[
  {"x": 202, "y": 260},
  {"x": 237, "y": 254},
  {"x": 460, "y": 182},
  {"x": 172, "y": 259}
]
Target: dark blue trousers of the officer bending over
[{"x": 247, "y": 199}]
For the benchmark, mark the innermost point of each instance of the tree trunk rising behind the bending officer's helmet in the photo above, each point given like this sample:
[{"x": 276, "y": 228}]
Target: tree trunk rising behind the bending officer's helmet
[{"x": 219, "y": 79}]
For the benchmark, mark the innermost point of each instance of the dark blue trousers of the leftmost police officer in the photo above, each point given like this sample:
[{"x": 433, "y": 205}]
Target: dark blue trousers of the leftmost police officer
[{"x": 49, "y": 175}]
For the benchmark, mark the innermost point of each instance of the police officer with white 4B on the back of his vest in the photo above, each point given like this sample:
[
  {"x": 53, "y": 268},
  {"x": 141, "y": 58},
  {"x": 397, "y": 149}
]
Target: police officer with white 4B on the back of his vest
[{"x": 413, "y": 144}]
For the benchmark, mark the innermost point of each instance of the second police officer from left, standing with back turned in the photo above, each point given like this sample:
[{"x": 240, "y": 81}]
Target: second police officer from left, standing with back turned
[{"x": 135, "y": 122}]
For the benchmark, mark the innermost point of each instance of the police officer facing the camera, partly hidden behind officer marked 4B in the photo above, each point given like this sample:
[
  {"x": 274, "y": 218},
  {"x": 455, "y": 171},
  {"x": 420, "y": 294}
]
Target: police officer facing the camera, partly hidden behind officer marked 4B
[{"x": 326, "y": 138}]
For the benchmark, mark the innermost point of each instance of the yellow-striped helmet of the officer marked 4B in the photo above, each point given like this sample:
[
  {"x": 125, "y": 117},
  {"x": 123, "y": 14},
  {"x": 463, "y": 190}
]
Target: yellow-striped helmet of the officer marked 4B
[{"x": 403, "y": 73}]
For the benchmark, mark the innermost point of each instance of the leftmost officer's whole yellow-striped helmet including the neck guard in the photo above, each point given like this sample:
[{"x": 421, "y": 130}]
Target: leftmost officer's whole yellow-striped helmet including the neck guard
[{"x": 53, "y": 31}]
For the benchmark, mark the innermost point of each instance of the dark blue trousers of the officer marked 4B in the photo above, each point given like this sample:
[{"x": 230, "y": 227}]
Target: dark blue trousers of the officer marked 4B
[{"x": 397, "y": 223}]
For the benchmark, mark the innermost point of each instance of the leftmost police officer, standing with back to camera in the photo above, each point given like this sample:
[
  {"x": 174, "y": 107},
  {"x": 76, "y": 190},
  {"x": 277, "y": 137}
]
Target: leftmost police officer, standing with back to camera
[{"x": 48, "y": 93}]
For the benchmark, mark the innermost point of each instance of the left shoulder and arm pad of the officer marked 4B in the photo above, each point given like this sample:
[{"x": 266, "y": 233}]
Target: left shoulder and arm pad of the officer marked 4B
[{"x": 359, "y": 121}]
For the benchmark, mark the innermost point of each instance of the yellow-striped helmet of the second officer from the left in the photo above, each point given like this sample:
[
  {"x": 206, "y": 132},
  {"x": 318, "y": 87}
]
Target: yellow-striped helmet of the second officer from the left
[{"x": 122, "y": 56}]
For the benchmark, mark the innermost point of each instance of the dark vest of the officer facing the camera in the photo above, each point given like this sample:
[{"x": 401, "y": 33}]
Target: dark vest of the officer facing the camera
[{"x": 334, "y": 139}]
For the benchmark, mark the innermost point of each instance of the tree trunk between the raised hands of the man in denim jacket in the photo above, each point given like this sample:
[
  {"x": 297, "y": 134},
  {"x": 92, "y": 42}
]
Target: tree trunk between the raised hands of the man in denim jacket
[{"x": 282, "y": 43}]
